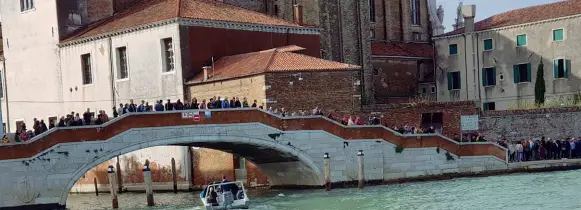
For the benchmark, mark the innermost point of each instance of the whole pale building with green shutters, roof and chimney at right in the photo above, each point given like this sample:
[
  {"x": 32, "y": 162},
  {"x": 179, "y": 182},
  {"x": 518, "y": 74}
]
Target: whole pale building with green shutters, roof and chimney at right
[{"x": 495, "y": 61}]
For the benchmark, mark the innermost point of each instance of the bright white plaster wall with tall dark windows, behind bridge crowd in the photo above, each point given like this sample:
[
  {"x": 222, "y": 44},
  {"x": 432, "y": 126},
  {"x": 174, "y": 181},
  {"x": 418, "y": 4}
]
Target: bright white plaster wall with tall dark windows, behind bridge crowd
[{"x": 146, "y": 78}]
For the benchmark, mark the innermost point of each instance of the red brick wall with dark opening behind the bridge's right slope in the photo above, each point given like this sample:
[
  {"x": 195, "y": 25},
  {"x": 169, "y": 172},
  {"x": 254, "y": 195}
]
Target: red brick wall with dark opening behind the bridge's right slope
[{"x": 411, "y": 114}]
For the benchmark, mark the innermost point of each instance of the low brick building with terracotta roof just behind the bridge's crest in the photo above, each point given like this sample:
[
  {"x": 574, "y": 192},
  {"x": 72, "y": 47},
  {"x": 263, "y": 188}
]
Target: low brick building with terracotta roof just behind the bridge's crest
[{"x": 280, "y": 78}]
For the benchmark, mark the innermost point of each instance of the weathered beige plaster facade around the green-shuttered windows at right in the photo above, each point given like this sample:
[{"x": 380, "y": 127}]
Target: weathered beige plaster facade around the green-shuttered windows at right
[{"x": 506, "y": 94}]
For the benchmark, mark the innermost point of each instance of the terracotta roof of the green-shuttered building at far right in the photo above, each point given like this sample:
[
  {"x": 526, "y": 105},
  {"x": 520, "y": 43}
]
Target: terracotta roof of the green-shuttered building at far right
[{"x": 526, "y": 15}]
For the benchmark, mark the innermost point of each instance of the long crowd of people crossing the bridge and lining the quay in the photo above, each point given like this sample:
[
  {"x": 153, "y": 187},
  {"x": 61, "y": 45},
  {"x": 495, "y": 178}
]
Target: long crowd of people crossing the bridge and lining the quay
[{"x": 524, "y": 150}]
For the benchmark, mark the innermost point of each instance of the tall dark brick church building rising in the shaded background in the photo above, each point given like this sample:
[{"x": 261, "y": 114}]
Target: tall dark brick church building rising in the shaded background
[{"x": 390, "y": 39}]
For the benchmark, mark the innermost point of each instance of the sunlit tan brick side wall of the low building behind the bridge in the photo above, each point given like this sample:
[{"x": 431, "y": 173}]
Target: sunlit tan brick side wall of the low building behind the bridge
[{"x": 250, "y": 87}]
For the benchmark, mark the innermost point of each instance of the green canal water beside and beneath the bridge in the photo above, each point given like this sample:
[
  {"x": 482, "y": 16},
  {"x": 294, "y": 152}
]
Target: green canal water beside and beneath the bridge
[{"x": 552, "y": 190}]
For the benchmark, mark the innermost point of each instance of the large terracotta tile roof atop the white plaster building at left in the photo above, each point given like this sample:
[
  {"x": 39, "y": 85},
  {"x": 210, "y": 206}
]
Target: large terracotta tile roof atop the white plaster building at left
[{"x": 150, "y": 11}]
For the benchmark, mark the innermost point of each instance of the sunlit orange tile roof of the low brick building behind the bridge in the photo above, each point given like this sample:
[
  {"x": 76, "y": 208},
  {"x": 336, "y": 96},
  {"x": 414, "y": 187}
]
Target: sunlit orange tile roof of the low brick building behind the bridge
[{"x": 273, "y": 60}]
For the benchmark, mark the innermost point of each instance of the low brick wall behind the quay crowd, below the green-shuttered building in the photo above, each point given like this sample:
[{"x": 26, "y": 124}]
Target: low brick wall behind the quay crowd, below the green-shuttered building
[{"x": 525, "y": 124}]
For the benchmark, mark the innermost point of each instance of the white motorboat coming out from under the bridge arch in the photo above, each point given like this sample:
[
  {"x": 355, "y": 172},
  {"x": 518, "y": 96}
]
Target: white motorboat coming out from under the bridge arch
[{"x": 224, "y": 195}]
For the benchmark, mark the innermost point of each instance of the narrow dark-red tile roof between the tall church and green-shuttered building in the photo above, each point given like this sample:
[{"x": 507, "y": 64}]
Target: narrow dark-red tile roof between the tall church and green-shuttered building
[{"x": 423, "y": 50}]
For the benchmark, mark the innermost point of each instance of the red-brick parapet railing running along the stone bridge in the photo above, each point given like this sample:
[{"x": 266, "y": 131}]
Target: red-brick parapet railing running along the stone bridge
[{"x": 329, "y": 125}]
